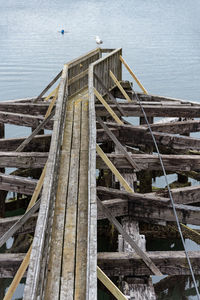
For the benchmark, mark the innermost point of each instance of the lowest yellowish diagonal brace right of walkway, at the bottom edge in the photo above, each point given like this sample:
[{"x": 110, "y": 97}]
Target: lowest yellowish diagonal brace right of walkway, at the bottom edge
[{"x": 110, "y": 285}]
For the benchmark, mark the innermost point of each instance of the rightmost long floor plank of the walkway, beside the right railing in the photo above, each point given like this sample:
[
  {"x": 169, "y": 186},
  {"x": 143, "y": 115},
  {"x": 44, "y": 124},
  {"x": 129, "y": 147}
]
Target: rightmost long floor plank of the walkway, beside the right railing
[{"x": 82, "y": 213}]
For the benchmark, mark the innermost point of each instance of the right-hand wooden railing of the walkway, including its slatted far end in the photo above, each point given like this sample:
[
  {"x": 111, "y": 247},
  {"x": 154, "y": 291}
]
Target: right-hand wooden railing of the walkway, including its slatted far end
[{"x": 101, "y": 68}]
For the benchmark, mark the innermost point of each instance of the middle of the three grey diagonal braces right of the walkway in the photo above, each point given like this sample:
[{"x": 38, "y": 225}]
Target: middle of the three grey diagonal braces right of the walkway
[{"x": 125, "y": 154}]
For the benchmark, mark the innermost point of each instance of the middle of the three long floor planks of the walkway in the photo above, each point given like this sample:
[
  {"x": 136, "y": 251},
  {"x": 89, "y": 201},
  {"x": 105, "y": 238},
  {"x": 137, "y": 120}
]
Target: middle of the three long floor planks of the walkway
[{"x": 69, "y": 242}]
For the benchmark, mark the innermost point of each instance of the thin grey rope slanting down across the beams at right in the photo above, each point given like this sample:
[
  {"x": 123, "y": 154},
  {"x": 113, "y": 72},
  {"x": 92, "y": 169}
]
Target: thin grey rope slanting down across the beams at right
[{"x": 170, "y": 194}]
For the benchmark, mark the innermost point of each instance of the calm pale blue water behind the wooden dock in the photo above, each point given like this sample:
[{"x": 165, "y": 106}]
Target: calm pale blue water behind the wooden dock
[{"x": 160, "y": 40}]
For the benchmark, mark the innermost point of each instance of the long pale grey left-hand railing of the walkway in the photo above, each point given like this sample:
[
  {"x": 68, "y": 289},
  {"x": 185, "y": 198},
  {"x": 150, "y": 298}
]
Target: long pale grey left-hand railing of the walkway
[{"x": 39, "y": 255}]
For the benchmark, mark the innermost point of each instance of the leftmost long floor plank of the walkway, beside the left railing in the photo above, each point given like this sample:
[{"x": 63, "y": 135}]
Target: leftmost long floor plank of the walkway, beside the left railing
[{"x": 52, "y": 287}]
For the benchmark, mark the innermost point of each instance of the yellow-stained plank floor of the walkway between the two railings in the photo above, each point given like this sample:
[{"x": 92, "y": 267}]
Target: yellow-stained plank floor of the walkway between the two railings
[{"x": 66, "y": 277}]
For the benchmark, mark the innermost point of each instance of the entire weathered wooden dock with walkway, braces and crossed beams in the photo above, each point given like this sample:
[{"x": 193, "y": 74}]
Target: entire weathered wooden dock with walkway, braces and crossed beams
[{"x": 95, "y": 165}]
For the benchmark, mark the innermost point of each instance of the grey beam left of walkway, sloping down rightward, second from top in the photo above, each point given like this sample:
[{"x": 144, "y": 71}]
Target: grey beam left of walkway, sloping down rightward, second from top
[{"x": 23, "y": 120}]
